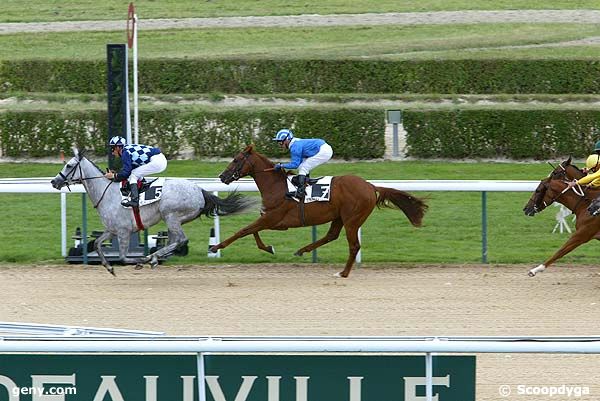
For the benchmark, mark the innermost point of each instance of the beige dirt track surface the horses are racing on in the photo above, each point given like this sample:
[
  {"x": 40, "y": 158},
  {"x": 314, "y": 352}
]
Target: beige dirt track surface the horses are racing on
[{"x": 306, "y": 300}]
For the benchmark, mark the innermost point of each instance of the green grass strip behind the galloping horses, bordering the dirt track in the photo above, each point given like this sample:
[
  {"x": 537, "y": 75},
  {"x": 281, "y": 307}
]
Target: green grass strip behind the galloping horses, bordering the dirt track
[{"x": 451, "y": 231}]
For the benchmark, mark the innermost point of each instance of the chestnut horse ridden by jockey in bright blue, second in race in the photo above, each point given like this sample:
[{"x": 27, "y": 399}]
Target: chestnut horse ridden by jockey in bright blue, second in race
[{"x": 352, "y": 201}]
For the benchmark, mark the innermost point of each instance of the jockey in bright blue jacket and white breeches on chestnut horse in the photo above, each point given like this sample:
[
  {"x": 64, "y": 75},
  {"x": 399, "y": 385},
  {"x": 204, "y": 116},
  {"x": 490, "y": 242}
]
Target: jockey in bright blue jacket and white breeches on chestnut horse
[{"x": 306, "y": 155}]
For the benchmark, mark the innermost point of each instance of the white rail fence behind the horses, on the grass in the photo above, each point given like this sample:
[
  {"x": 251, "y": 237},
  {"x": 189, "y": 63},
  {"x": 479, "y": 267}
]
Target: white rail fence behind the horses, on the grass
[{"x": 42, "y": 185}]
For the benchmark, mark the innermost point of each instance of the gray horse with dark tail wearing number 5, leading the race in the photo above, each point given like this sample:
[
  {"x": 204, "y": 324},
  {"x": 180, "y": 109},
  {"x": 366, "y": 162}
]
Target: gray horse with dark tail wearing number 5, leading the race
[{"x": 181, "y": 201}]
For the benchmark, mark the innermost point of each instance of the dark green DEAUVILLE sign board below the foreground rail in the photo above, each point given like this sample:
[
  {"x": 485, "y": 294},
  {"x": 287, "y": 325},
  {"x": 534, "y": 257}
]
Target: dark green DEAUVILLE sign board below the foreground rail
[{"x": 233, "y": 378}]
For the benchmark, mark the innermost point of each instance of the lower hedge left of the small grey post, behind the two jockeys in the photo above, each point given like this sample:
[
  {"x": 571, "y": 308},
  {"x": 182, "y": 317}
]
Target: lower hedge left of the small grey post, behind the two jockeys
[{"x": 352, "y": 133}]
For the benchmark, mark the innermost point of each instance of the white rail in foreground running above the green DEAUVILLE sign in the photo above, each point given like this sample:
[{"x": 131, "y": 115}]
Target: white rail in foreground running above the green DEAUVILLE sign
[{"x": 258, "y": 345}]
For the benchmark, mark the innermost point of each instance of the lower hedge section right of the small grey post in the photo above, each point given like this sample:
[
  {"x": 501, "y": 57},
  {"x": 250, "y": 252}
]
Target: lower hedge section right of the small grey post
[{"x": 512, "y": 134}]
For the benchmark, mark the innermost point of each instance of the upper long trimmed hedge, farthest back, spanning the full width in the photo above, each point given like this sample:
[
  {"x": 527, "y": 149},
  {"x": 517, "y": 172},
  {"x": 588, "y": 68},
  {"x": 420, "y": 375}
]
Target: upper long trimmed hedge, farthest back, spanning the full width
[{"x": 313, "y": 76}]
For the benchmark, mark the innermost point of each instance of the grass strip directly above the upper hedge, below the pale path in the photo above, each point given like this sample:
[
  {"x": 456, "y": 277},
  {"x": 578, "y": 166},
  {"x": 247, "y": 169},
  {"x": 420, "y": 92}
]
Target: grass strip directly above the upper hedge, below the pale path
[{"x": 388, "y": 41}]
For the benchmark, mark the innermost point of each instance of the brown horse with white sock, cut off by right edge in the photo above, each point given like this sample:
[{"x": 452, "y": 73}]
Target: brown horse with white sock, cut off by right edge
[{"x": 555, "y": 188}]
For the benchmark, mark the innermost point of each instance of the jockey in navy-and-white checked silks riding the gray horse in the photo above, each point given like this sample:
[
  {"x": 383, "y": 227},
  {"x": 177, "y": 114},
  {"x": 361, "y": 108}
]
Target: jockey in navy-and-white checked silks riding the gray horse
[{"x": 138, "y": 162}]
